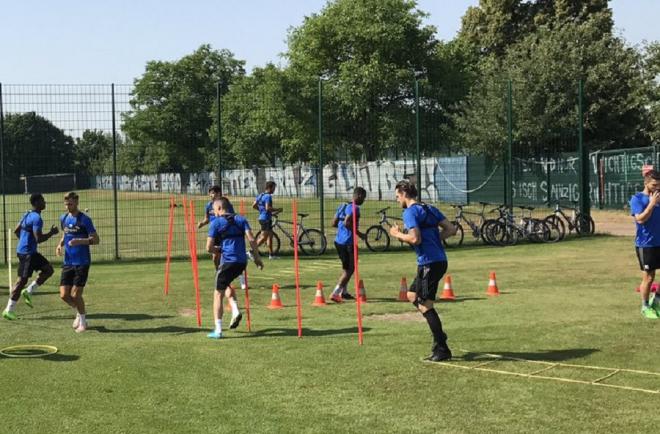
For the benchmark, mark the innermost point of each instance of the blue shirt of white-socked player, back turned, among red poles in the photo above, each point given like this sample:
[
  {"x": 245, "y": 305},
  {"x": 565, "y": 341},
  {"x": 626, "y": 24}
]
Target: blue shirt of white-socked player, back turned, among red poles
[{"x": 229, "y": 232}]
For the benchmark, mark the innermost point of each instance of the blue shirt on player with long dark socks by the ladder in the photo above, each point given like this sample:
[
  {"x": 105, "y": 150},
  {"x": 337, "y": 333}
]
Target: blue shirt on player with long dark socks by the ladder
[{"x": 431, "y": 249}]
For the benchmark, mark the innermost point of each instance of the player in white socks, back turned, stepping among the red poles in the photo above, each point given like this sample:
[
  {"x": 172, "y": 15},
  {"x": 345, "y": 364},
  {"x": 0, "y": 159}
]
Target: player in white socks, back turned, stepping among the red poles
[{"x": 227, "y": 234}]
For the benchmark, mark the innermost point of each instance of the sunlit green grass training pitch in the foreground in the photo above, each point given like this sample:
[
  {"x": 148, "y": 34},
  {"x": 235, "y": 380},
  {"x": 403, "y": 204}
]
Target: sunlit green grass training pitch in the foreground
[{"x": 145, "y": 367}]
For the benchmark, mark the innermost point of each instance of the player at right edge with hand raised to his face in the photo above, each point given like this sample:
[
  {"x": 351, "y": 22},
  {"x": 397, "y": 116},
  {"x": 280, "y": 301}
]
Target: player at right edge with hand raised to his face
[{"x": 645, "y": 211}]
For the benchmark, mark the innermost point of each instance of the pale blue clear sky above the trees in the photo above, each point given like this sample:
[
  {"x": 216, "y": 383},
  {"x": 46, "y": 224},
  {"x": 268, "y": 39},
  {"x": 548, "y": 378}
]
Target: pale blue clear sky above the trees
[{"x": 75, "y": 42}]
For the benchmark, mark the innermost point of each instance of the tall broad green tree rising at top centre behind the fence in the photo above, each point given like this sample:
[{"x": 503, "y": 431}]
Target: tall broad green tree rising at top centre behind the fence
[{"x": 368, "y": 51}]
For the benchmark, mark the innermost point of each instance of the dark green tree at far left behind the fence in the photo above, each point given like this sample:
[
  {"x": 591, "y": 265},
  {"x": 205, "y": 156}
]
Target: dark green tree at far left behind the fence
[{"x": 35, "y": 146}]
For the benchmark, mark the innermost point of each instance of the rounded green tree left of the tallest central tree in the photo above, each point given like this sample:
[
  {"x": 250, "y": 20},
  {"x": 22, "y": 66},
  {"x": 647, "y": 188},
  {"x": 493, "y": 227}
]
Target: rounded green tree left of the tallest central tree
[{"x": 171, "y": 110}]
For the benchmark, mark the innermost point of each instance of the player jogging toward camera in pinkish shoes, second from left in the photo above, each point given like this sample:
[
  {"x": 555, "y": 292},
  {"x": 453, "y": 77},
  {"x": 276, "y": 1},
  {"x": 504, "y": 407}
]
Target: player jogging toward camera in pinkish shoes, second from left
[{"x": 78, "y": 234}]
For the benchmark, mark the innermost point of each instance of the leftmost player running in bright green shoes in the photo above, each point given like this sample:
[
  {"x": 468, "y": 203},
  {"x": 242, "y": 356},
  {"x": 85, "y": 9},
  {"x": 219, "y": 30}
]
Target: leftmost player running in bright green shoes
[{"x": 29, "y": 234}]
